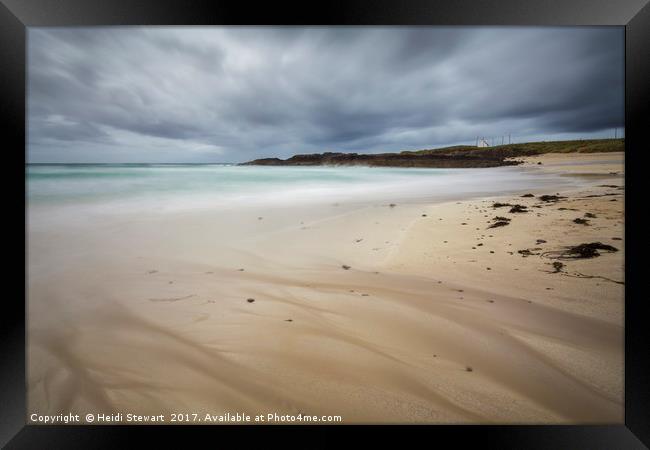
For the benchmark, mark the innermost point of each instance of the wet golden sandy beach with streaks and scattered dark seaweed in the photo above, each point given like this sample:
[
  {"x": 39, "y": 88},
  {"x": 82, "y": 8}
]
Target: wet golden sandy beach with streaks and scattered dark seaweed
[{"x": 386, "y": 312}]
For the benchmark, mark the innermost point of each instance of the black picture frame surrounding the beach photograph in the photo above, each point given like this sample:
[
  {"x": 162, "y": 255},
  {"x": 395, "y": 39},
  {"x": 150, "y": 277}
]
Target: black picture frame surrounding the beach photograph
[{"x": 634, "y": 15}]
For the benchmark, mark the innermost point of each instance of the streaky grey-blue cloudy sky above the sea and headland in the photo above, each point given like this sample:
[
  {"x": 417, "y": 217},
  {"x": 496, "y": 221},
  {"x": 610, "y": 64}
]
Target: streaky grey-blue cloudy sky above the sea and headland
[{"x": 231, "y": 94}]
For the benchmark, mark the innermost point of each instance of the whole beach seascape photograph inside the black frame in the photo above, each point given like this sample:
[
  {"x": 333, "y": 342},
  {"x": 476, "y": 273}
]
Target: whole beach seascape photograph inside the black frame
[{"x": 325, "y": 225}]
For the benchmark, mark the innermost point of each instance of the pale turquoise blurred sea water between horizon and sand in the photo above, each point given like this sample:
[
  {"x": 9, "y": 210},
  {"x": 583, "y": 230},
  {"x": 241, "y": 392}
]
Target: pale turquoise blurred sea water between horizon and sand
[{"x": 182, "y": 186}]
